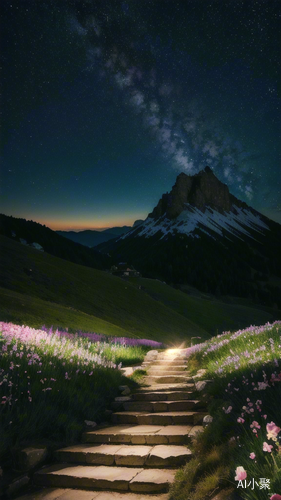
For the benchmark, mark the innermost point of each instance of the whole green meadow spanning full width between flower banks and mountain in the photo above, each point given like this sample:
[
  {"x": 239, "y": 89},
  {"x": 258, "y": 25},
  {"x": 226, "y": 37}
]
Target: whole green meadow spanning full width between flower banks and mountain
[{"x": 38, "y": 288}]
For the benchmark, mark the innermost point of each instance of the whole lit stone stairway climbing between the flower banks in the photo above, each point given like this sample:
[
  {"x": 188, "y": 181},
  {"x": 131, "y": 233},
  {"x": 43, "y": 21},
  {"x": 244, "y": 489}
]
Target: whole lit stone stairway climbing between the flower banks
[{"x": 137, "y": 457}]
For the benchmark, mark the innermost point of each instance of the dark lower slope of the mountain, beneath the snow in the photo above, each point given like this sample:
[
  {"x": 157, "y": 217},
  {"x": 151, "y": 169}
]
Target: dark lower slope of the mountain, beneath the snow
[{"x": 213, "y": 264}]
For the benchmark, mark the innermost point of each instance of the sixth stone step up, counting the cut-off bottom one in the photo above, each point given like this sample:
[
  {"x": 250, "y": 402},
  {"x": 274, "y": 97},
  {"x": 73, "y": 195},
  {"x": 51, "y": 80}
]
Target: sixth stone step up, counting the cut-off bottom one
[{"x": 156, "y": 406}]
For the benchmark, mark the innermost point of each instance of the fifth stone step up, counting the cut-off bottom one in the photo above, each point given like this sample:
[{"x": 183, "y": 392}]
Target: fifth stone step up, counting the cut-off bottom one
[{"x": 159, "y": 418}]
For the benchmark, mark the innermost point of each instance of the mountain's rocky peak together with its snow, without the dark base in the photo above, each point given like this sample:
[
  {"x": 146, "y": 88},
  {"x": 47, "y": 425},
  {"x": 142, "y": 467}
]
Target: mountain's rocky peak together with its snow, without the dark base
[{"x": 201, "y": 204}]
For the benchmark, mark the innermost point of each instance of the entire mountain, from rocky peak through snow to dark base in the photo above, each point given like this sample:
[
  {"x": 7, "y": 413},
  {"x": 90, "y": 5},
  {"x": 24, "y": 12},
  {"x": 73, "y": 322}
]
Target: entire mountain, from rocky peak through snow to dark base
[{"x": 200, "y": 234}]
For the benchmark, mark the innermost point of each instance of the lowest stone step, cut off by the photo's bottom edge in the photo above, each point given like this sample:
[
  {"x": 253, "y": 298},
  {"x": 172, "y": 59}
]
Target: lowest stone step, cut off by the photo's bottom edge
[{"x": 68, "y": 494}]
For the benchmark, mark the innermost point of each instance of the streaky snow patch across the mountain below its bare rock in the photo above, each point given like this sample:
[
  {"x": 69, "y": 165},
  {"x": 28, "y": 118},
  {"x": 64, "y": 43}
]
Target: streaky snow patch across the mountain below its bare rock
[{"x": 238, "y": 222}]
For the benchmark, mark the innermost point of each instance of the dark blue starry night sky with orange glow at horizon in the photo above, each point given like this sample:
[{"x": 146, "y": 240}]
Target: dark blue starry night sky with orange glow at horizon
[{"x": 105, "y": 102}]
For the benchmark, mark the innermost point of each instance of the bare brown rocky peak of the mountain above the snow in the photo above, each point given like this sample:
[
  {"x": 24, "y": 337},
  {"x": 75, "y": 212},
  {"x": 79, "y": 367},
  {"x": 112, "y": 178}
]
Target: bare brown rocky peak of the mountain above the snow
[{"x": 200, "y": 191}]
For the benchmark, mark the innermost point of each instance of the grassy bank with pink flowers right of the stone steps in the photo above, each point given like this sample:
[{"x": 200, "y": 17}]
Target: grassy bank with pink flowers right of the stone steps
[{"x": 245, "y": 402}]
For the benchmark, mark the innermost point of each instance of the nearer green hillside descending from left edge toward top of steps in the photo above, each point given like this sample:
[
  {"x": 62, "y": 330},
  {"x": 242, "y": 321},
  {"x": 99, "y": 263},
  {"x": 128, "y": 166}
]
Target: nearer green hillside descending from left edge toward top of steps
[{"x": 56, "y": 291}]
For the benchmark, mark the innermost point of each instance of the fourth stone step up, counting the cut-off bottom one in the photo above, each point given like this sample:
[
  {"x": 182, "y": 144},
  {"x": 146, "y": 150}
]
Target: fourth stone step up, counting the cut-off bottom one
[{"x": 143, "y": 434}]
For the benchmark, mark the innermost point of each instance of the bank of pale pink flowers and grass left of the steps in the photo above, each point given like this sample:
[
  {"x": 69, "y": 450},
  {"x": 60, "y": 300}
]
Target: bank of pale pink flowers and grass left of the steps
[{"x": 51, "y": 382}]
